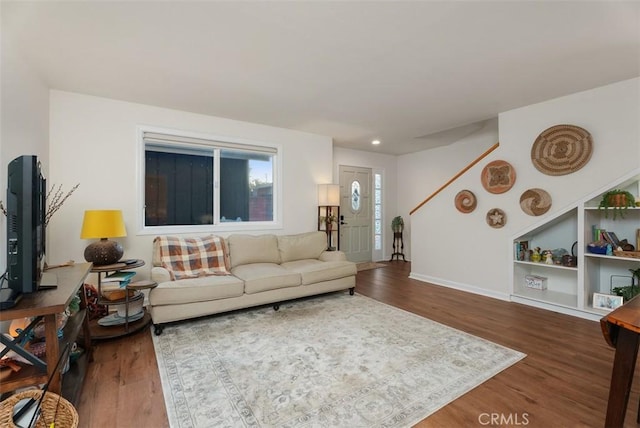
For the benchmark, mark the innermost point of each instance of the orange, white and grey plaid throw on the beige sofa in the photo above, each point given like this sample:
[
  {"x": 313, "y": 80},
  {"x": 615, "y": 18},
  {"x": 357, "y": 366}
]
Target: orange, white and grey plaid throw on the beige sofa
[{"x": 193, "y": 257}]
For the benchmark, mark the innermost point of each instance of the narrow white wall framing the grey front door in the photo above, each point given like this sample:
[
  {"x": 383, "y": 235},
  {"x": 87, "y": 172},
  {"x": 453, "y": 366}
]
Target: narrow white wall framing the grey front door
[{"x": 385, "y": 165}]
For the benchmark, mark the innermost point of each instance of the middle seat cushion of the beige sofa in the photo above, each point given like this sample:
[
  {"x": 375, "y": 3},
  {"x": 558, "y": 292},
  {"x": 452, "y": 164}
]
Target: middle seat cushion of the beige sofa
[{"x": 259, "y": 277}]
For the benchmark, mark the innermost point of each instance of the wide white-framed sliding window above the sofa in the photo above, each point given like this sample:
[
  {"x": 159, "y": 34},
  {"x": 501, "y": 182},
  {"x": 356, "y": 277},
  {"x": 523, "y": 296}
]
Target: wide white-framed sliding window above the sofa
[{"x": 193, "y": 181}]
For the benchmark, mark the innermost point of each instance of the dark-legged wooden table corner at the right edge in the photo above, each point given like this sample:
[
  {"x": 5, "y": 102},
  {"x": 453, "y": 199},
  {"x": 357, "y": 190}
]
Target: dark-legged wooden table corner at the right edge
[{"x": 621, "y": 329}]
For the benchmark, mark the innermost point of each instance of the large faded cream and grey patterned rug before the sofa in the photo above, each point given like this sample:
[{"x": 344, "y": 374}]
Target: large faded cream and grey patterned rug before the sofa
[{"x": 329, "y": 361}]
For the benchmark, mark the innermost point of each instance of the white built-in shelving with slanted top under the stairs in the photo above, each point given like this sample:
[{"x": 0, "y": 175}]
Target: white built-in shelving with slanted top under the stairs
[{"x": 570, "y": 289}]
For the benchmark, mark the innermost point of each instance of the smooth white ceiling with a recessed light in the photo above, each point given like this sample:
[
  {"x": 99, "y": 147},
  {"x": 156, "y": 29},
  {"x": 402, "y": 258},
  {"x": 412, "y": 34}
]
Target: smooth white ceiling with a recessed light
[{"x": 401, "y": 72}]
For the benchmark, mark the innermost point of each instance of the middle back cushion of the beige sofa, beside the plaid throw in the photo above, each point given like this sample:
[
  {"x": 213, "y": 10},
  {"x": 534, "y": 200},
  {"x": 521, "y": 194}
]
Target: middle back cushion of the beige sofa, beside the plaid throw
[{"x": 245, "y": 249}]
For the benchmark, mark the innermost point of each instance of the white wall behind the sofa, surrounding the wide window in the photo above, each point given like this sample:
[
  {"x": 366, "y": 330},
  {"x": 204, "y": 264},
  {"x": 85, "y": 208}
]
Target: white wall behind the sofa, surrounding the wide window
[{"x": 94, "y": 143}]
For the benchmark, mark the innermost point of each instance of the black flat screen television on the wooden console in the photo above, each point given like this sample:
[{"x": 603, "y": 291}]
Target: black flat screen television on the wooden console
[{"x": 26, "y": 210}]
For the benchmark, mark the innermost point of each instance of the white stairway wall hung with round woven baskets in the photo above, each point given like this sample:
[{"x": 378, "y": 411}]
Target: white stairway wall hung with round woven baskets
[{"x": 461, "y": 250}]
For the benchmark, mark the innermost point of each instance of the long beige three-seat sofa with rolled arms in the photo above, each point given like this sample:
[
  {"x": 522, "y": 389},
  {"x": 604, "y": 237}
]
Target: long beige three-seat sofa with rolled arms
[{"x": 265, "y": 269}]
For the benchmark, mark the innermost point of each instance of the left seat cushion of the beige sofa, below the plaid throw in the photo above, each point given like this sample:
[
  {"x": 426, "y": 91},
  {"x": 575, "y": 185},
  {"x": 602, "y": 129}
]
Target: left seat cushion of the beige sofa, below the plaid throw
[{"x": 191, "y": 290}]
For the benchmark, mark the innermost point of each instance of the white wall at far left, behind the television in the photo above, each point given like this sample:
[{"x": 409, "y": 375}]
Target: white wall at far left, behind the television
[{"x": 24, "y": 115}]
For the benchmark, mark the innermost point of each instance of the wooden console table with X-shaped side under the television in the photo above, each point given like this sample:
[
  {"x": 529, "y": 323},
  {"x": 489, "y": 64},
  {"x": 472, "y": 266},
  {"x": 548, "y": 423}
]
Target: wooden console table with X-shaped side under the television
[{"x": 46, "y": 304}]
